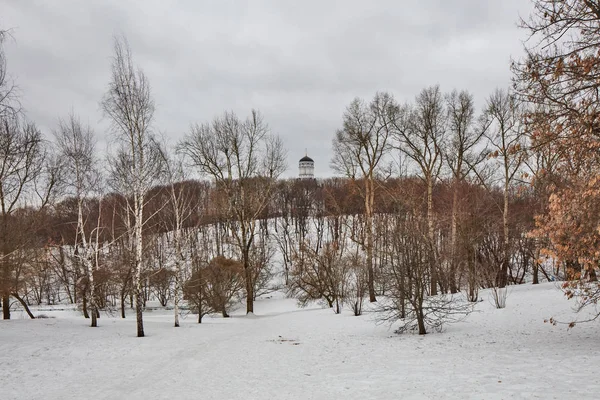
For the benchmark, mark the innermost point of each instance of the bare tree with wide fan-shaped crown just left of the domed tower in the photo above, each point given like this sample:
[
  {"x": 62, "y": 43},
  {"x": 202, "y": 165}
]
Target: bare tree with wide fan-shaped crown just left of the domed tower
[{"x": 244, "y": 161}]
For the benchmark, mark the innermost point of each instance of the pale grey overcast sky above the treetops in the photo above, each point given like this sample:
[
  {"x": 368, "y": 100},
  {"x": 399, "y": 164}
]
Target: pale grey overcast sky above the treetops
[{"x": 299, "y": 62}]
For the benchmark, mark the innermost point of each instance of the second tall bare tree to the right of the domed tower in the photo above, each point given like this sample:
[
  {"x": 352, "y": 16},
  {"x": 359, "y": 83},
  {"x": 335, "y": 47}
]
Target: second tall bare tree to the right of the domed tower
[{"x": 420, "y": 131}]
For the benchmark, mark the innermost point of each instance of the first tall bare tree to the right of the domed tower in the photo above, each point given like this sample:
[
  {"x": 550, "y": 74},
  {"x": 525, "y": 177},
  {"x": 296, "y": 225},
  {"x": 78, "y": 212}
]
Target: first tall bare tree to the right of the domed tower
[{"x": 360, "y": 148}]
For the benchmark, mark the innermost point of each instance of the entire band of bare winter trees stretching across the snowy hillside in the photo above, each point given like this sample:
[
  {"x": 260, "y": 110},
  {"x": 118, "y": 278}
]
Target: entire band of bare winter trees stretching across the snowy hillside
[{"x": 433, "y": 198}]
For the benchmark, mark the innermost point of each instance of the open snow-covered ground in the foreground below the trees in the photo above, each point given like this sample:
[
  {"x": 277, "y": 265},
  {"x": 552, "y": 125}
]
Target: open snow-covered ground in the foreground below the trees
[{"x": 290, "y": 353}]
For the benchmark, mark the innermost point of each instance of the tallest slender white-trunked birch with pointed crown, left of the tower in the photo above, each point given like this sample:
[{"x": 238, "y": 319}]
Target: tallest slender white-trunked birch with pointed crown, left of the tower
[{"x": 138, "y": 164}]
